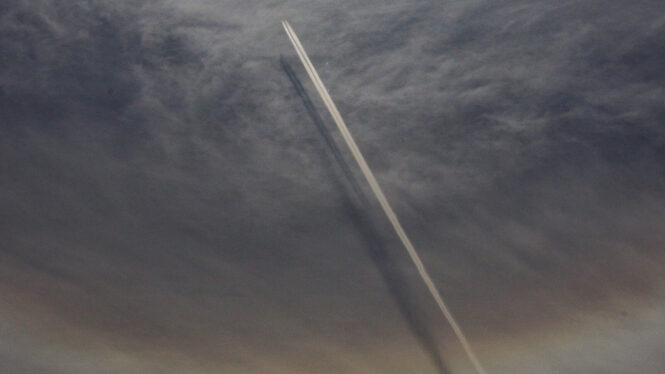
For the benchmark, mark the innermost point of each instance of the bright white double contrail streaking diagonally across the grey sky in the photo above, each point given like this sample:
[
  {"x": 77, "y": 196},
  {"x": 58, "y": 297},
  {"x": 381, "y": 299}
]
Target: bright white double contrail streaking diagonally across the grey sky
[{"x": 378, "y": 192}]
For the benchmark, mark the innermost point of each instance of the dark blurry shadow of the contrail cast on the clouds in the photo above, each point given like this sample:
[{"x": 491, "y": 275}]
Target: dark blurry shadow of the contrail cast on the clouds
[{"x": 391, "y": 274}]
